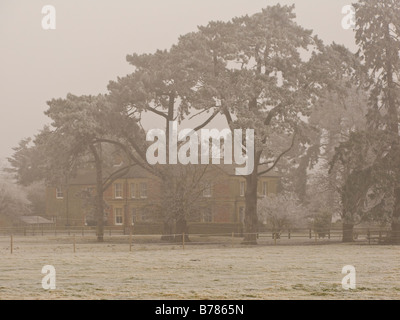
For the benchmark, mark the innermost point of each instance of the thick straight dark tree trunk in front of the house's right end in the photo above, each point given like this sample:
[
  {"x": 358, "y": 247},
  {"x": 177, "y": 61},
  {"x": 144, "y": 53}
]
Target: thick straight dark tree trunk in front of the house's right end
[{"x": 251, "y": 218}]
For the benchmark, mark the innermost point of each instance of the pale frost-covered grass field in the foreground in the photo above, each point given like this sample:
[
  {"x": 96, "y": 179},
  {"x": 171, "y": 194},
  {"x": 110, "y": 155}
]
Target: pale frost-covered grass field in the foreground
[{"x": 151, "y": 271}]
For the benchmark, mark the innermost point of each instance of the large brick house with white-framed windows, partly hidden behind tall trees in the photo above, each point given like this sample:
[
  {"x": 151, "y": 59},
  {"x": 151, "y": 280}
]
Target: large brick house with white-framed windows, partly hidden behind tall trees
[{"x": 135, "y": 199}]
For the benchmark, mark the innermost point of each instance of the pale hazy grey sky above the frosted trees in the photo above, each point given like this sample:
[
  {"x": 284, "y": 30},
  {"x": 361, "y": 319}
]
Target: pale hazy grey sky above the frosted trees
[{"x": 93, "y": 37}]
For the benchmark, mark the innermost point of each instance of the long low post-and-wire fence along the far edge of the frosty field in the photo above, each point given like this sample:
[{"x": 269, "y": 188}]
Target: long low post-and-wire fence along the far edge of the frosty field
[{"x": 76, "y": 236}]
